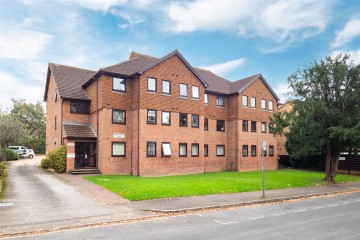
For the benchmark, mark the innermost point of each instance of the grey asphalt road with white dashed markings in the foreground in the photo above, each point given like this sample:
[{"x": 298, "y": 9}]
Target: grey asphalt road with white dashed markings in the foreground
[{"x": 321, "y": 218}]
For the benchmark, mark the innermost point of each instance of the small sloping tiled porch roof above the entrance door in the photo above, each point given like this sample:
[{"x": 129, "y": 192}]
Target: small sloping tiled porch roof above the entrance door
[{"x": 78, "y": 130}]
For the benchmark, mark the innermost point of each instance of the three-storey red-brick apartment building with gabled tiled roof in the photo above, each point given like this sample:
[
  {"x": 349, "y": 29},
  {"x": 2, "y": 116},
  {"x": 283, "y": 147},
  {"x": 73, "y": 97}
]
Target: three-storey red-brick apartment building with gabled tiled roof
[{"x": 151, "y": 116}]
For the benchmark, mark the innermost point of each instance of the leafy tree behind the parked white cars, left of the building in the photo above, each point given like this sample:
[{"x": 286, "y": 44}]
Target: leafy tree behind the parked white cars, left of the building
[{"x": 33, "y": 118}]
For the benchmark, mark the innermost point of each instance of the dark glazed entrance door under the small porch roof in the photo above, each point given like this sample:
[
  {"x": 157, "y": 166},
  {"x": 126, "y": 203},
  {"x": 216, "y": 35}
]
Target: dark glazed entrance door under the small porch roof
[{"x": 85, "y": 155}]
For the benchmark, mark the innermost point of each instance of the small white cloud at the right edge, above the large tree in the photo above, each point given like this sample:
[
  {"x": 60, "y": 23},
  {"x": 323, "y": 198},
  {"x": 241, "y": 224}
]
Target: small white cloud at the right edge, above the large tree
[{"x": 350, "y": 31}]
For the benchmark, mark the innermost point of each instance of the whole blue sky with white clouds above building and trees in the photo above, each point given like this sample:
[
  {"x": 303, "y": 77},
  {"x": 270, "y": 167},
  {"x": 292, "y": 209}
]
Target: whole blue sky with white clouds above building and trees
[{"x": 233, "y": 38}]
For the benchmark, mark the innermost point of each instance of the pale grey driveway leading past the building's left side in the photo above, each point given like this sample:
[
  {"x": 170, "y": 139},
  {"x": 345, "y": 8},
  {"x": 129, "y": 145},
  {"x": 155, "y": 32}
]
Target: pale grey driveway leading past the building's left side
[{"x": 36, "y": 199}]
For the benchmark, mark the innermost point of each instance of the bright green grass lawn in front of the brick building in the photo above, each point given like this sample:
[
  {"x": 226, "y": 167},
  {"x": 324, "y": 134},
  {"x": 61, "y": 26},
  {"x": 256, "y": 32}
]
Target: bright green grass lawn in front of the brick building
[{"x": 143, "y": 188}]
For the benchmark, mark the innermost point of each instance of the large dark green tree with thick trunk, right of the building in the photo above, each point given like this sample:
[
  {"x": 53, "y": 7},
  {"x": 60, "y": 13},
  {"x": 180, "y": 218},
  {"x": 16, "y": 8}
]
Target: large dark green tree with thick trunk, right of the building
[{"x": 326, "y": 114}]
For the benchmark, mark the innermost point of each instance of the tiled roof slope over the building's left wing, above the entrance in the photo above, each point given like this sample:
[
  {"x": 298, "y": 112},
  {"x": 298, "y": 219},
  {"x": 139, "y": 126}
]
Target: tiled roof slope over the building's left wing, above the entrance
[{"x": 70, "y": 79}]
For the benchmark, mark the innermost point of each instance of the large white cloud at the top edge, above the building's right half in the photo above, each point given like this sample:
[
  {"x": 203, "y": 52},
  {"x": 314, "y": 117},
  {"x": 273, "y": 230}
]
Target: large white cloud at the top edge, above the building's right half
[{"x": 277, "y": 20}]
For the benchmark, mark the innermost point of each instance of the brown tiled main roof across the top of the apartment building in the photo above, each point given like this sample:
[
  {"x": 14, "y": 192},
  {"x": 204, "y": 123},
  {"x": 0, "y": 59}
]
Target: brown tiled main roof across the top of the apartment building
[{"x": 71, "y": 82}]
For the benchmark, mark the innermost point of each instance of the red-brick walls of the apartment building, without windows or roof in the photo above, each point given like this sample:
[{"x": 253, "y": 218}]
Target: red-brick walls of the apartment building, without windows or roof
[{"x": 136, "y": 133}]
